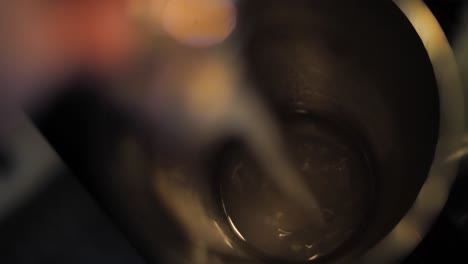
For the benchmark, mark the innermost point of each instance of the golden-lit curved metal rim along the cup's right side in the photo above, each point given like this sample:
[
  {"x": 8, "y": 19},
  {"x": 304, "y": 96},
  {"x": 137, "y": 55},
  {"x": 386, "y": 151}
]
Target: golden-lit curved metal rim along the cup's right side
[{"x": 408, "y": 233}]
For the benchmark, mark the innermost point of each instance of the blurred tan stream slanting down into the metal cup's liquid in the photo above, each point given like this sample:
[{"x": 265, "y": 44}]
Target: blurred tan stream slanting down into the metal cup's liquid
[{"x": 266, "y": 145}]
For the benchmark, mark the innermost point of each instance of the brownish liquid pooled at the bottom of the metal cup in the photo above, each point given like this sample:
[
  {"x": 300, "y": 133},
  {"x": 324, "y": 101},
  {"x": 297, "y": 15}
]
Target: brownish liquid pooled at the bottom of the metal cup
[{"x": 337, "y": 169}]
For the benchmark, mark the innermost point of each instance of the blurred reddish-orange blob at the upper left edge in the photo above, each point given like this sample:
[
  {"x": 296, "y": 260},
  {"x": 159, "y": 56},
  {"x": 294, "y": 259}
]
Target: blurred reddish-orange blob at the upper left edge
[{"x": 98, "y": 31}]
